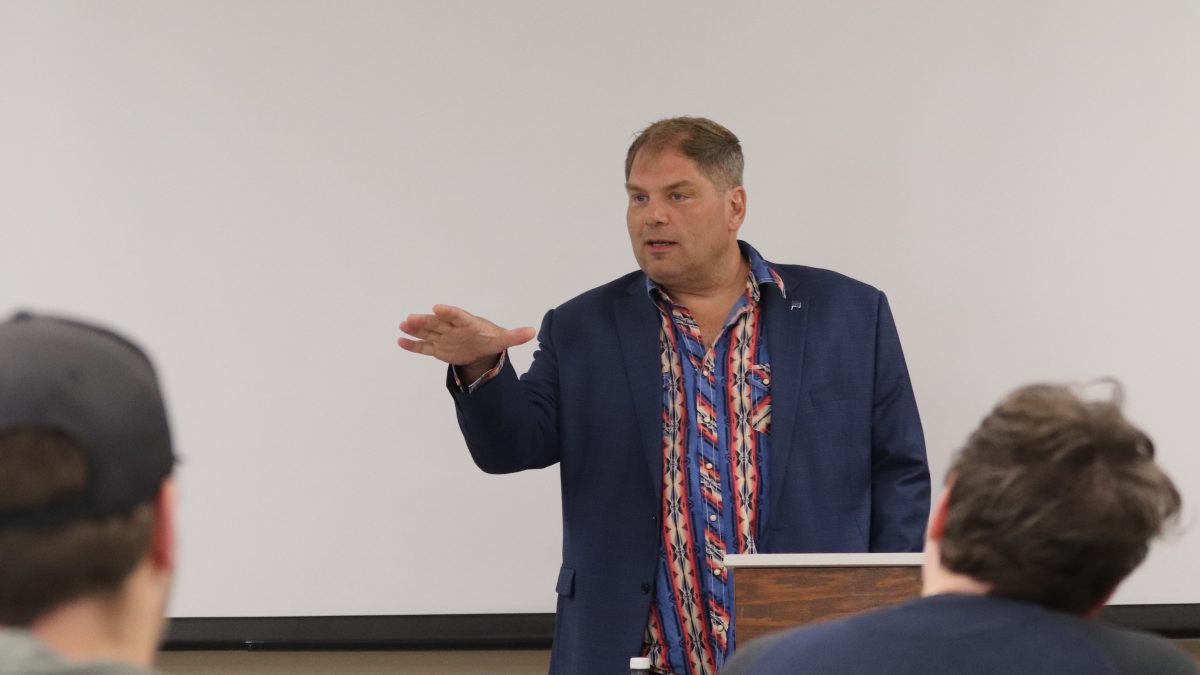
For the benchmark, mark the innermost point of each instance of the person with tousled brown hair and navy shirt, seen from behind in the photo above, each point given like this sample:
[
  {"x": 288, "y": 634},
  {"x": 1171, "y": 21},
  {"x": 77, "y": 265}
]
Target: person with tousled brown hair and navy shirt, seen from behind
[{"x": 1051, "y": 505}]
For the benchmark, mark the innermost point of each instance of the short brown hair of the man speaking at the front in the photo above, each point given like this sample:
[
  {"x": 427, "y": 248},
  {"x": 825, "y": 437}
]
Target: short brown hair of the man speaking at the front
[{"x": 716, "y": 150}]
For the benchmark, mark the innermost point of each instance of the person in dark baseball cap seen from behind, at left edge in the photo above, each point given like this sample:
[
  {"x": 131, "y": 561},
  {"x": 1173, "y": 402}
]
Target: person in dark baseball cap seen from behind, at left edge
[{"x": 87, "y": 501}]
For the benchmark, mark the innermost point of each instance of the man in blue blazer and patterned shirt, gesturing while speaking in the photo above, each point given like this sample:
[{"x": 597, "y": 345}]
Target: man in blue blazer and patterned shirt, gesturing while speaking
[{"x": 711, "y": 403}]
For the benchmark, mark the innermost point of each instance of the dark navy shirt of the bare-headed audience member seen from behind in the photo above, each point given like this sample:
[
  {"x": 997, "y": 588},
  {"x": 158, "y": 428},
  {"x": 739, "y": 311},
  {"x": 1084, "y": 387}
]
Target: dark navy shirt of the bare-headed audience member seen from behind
[{"x": 962, "y": 635}]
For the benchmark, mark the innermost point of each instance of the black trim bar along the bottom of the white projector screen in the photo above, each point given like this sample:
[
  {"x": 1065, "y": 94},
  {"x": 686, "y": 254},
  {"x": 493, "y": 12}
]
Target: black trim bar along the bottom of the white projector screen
[{"x": 499, "y": 631}]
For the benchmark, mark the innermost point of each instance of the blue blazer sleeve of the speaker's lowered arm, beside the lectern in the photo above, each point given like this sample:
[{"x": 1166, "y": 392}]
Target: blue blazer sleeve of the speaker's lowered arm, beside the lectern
[{"x": 899, "y": 469}]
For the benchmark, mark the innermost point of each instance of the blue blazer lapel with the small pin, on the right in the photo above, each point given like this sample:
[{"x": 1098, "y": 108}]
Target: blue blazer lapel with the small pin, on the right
[{"x": 787, "y": 322}]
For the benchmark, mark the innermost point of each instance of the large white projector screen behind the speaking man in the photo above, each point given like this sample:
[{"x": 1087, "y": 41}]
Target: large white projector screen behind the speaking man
[{"x": 261, "y": 192}]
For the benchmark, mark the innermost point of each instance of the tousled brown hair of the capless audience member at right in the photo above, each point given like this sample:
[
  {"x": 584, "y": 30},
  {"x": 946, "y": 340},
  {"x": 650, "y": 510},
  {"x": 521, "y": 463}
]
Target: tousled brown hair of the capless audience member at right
[{"x": 1054, "y": 500}]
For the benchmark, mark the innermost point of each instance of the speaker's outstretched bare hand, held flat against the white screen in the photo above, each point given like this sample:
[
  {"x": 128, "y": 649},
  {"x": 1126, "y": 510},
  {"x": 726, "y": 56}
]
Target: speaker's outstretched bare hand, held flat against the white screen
[{"x": 459, "y": 338}]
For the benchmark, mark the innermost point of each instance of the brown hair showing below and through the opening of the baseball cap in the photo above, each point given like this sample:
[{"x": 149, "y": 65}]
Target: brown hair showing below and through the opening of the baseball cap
[{"x": 44, "y": 569}]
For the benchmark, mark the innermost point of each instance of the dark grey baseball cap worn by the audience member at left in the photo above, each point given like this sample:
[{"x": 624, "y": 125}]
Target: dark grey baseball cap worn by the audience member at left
[{"x": 99, "y": 390}]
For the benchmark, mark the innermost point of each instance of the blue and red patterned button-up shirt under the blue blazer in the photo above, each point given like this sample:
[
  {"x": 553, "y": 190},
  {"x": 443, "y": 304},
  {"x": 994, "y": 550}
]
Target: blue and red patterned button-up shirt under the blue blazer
[{"x": 716, "y": 426}]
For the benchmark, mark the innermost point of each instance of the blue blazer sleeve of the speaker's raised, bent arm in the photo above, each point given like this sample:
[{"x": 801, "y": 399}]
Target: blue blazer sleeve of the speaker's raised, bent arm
[{"x": 512, "y": 425}]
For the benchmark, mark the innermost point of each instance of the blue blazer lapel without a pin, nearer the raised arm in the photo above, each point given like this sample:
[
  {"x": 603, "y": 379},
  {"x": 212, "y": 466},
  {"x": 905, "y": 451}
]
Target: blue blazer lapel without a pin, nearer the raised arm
[{"x": 638, "y": 327}]
